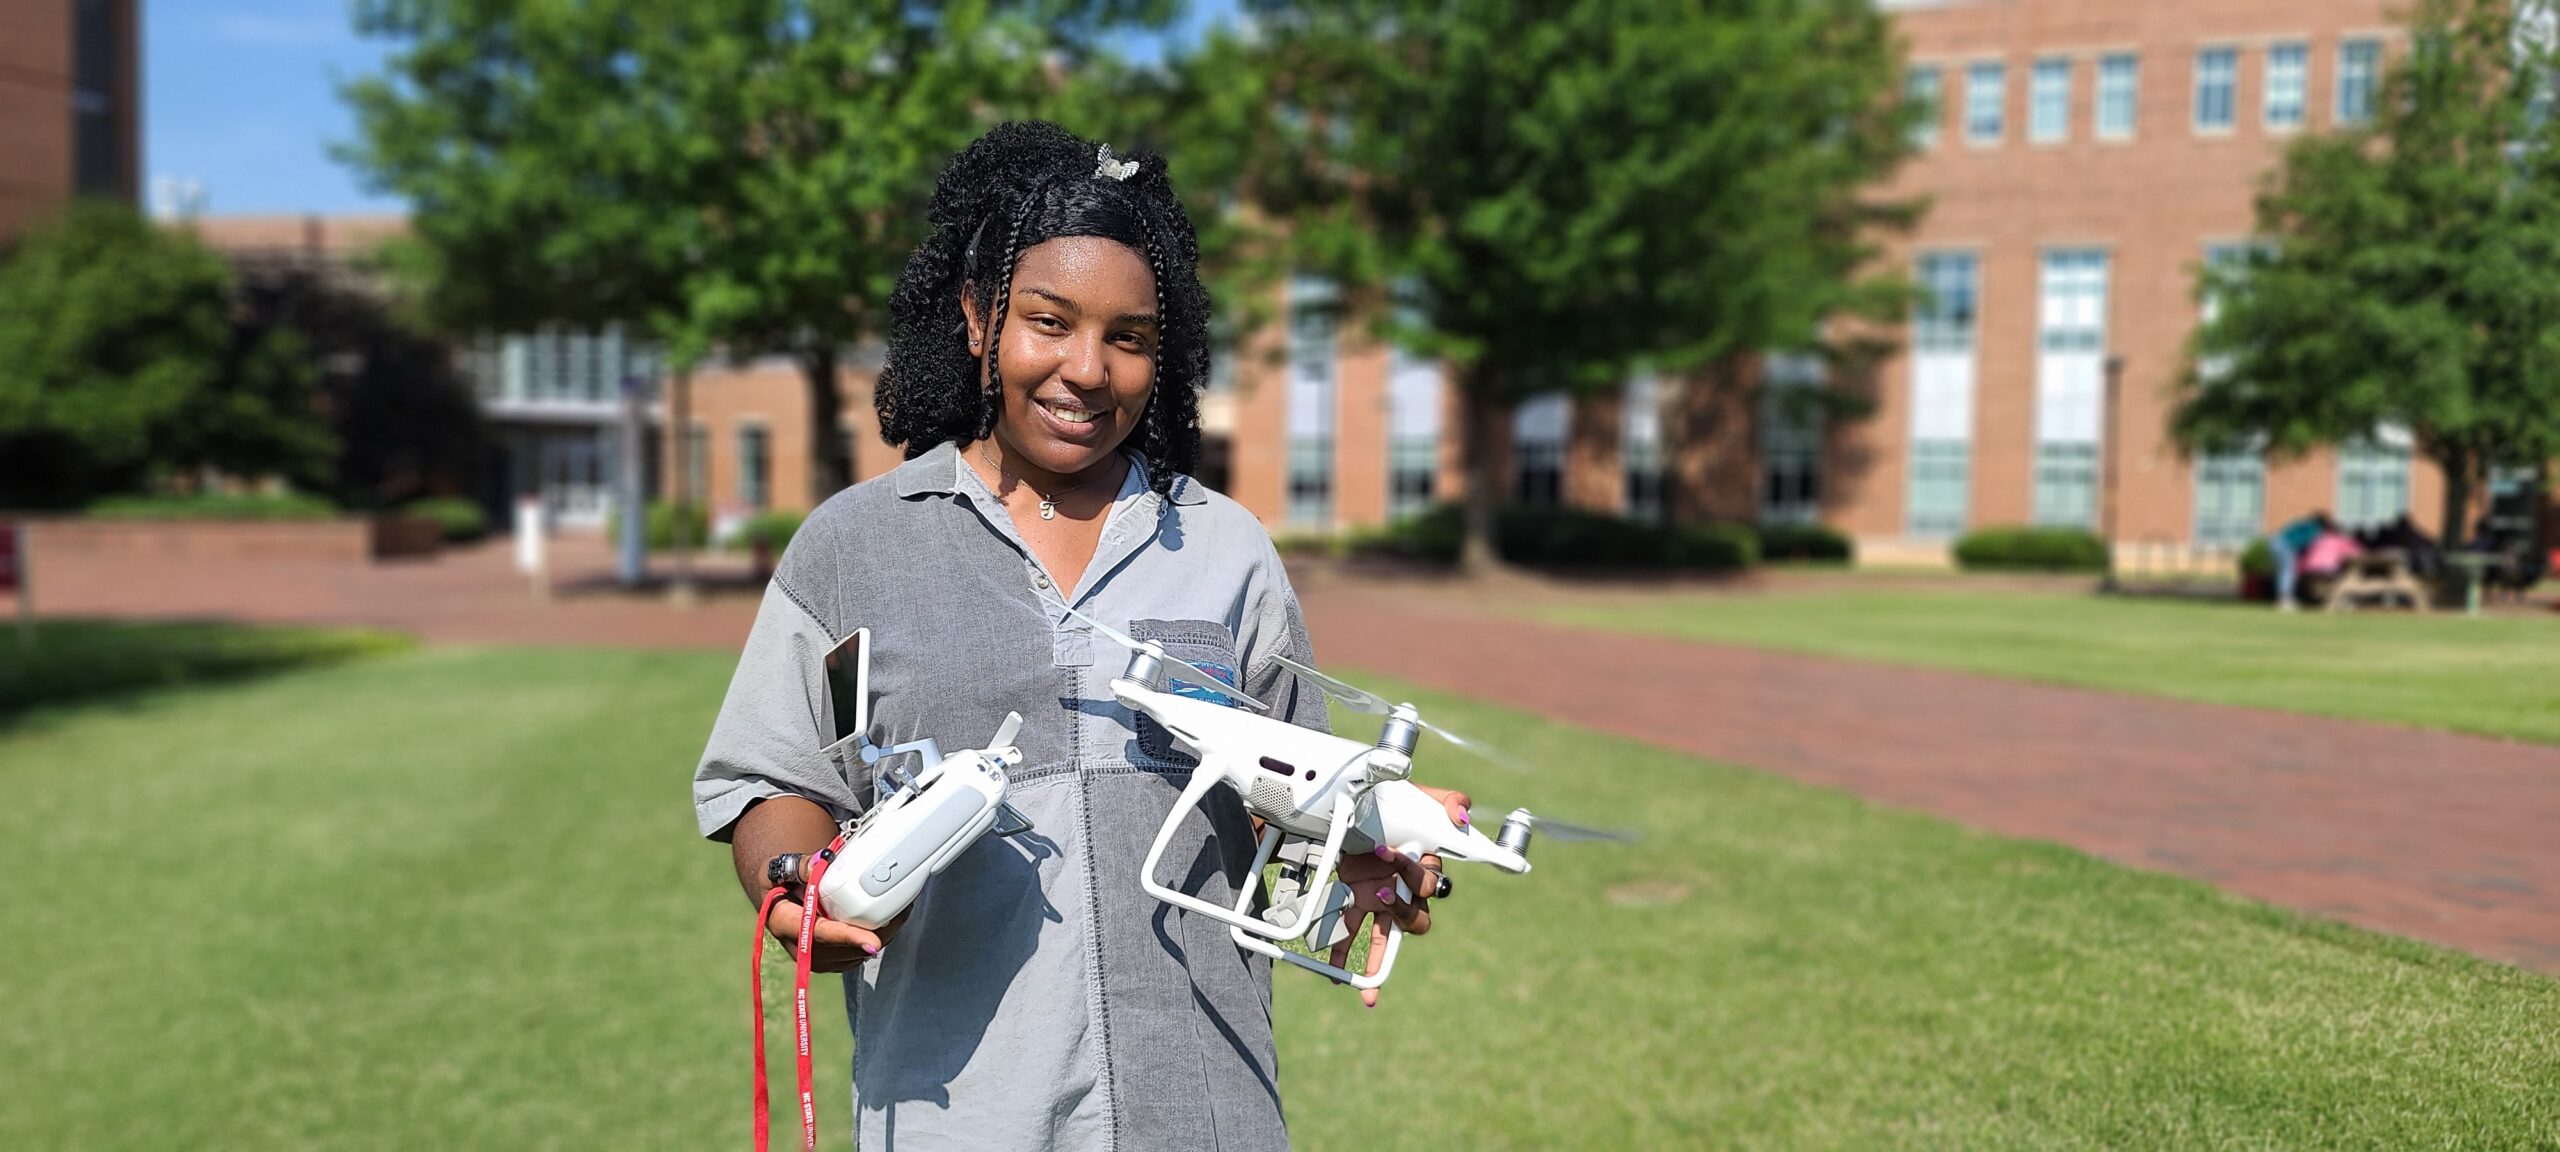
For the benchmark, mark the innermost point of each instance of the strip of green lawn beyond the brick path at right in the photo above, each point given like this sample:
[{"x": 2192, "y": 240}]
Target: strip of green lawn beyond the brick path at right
[{"x": 2492, "y": 675}]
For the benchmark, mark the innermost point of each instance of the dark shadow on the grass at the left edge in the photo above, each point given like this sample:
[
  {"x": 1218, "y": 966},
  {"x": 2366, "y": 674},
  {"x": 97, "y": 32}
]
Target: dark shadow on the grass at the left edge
[{"x": 93, "y": 659}]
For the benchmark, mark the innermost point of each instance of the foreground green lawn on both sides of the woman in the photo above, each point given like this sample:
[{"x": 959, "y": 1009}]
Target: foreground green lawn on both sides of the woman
[{"x": 454, "y": 900}]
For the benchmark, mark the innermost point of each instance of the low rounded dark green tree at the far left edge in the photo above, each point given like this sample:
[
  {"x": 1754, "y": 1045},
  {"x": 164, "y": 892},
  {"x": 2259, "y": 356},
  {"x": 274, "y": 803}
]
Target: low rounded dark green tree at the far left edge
[{"x": 122, "y": 362}]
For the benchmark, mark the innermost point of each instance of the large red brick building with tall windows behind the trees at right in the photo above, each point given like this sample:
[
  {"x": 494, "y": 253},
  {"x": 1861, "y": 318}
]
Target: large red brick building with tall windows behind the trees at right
[{"x": 2085, "y": 160}]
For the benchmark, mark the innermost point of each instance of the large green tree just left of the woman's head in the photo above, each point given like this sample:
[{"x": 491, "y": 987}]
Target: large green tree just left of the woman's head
[{"x": 739, "y": 178}]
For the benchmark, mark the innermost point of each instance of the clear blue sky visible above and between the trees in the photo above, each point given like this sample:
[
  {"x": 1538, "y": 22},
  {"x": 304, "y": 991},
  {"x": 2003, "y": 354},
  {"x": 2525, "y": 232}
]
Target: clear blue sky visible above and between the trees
[{"x": 242, "y": 96}]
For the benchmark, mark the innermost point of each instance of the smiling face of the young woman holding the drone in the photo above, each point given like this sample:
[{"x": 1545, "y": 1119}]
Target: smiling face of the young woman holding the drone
[{"x": 1076, "y": 352}]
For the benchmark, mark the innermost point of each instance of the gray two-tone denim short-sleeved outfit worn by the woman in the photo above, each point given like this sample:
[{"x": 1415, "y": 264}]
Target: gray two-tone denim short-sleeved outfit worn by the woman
[{"x": 1038, "y": 997}]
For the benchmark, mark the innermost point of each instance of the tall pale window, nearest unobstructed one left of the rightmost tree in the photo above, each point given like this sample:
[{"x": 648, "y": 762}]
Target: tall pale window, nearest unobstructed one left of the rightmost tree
[{"x": 2070, "y": 385}]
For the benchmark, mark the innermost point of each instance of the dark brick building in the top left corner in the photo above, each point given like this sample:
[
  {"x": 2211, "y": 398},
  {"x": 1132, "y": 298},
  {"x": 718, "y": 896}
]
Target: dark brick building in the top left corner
[{"x": 70, "y": 78}]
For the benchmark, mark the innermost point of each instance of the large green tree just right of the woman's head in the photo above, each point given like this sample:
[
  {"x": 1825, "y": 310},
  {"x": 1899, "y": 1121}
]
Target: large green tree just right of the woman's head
[{"x": 1581, "y": 191}]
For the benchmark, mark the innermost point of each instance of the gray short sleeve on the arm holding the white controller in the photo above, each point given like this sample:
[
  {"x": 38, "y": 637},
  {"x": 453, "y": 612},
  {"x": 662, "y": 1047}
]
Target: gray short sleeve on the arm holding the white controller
[{"x": 772, "y": 731}]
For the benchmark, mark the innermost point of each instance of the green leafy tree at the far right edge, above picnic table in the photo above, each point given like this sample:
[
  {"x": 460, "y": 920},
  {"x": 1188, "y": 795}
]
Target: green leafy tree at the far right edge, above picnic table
[{"x": 2408, "y": 275}]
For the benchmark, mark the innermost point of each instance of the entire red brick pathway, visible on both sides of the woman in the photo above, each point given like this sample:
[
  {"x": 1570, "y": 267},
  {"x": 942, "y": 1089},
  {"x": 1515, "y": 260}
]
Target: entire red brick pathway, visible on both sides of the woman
[{"x": 2413, "y": 833}]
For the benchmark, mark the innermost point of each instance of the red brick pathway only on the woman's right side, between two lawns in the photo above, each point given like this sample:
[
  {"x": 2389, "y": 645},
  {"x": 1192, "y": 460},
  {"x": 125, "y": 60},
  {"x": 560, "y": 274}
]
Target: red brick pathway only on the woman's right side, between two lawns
[{"x": 2413, "y": 833}]
